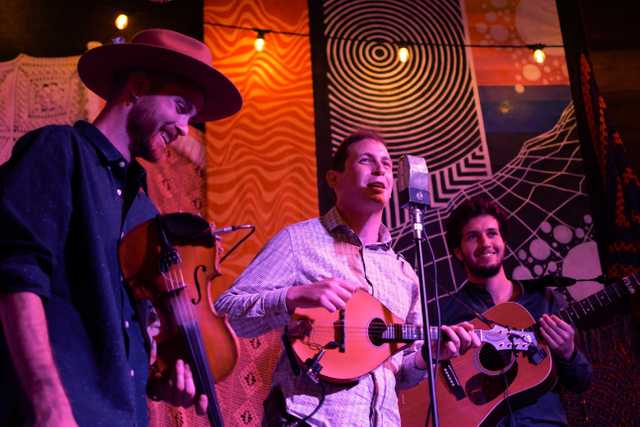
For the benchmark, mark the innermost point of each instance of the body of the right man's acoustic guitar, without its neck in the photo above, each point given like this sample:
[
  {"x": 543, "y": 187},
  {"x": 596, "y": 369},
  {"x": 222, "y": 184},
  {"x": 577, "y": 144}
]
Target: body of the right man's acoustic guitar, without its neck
[{"x": 488, "y": 377}]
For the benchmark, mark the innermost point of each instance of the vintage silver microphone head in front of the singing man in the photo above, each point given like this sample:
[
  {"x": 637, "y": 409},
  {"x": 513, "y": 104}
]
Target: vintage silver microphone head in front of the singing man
[{"x": 413, "y": 182}]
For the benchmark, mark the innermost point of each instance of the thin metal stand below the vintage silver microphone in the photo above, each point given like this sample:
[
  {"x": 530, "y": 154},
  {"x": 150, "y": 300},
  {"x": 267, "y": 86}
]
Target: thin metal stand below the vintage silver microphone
[{"x": 427, "y": 353}]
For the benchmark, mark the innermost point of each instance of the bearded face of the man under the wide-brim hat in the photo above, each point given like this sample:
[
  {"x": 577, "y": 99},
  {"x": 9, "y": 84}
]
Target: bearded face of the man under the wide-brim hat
[{"x": 160, "y": 115}]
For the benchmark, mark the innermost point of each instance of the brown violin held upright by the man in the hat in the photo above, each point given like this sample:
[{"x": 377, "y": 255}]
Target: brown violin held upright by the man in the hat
[{"x": 172, "y": 260}]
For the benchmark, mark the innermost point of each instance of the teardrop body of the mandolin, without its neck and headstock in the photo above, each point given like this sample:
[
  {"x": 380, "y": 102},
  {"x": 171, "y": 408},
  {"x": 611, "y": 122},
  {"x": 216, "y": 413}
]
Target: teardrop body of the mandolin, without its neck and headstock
[{"x": 360, "y": 355}]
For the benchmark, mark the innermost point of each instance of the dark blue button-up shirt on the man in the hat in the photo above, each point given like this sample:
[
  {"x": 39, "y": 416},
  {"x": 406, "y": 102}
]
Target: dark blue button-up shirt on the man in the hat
[{"x": 62, "y": 215}]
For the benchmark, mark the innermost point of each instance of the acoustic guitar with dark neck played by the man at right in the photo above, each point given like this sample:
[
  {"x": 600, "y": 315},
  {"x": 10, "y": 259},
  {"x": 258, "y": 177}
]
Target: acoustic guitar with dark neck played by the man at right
[{"x": 476, "y": 388}]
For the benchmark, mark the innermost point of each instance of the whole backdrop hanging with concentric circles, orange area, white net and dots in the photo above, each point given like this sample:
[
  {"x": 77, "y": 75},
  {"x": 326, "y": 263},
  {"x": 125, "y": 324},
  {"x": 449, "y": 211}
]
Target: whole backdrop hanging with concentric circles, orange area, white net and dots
[{"x": 518, "y": 120}]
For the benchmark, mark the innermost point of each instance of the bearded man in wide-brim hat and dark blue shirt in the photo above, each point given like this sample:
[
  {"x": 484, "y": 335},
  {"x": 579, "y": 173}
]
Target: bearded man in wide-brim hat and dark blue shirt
[{"x": 72, "y": 350}]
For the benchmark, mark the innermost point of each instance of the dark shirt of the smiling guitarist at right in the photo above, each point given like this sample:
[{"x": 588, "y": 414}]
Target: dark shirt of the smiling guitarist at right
[{"x": 574, "y": 374}]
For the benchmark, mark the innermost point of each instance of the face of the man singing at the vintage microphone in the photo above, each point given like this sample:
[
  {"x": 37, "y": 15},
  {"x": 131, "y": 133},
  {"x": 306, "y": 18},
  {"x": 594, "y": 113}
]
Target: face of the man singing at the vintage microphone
[{"x": 366, "y": 182}]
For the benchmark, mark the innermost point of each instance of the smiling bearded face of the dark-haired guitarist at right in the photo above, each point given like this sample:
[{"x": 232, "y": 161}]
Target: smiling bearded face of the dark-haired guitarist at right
[{"x": 481, "y": 247}]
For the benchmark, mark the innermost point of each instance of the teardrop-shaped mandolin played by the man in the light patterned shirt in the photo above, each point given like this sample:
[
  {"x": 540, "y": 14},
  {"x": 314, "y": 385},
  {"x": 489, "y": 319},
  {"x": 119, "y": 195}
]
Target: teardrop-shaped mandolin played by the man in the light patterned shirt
[{"x": 347, "y": 344}]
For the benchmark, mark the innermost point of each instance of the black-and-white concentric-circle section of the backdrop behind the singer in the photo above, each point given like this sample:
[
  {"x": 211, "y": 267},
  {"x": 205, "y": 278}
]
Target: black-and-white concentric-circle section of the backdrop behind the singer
[{"x": 427, "y": 107}]
